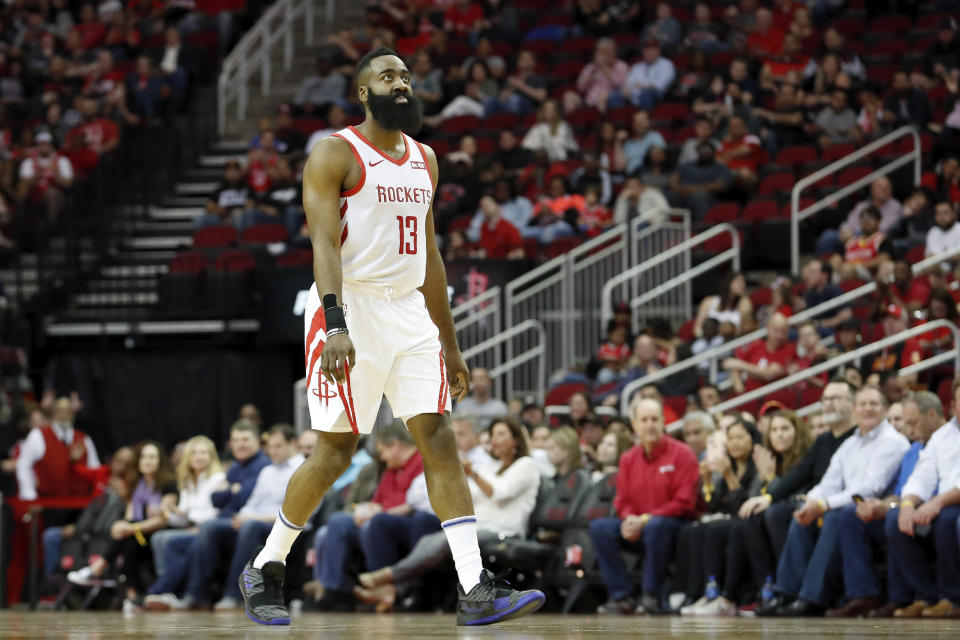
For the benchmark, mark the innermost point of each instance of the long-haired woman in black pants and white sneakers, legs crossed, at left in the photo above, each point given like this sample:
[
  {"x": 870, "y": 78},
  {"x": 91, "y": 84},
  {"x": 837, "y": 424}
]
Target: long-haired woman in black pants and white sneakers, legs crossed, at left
[{"x": 152, "y": 491}]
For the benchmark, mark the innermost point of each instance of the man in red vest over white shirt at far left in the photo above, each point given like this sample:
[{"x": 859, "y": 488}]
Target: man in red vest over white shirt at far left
[{"x": 43, "y": 465}]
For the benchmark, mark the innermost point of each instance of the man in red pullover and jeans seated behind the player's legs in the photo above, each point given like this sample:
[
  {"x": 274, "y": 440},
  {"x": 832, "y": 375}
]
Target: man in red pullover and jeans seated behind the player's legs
[{"x": 404, "y": 463}]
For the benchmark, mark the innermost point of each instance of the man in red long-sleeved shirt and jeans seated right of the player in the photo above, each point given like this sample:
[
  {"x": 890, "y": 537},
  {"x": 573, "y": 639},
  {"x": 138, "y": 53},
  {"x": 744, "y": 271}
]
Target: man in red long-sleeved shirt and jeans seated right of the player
[{"x": 657, "y": 489}]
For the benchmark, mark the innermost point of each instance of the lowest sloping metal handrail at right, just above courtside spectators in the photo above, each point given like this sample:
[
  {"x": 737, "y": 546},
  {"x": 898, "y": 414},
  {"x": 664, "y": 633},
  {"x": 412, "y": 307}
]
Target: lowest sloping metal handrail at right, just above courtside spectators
[{"x": 833, "y": 363}]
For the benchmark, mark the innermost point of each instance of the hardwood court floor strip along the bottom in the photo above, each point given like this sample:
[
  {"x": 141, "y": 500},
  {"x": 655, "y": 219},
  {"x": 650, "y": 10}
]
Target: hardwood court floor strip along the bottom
[{"x": 207, "y": 626}]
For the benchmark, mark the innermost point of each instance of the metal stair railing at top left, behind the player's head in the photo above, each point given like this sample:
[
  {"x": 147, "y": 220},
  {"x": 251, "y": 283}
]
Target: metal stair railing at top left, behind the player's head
[{"x": 255, "y": 50}]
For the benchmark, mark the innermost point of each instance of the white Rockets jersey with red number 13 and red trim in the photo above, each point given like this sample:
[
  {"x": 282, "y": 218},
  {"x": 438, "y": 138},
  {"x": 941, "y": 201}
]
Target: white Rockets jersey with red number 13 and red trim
[{"x": 383, "y": 218}]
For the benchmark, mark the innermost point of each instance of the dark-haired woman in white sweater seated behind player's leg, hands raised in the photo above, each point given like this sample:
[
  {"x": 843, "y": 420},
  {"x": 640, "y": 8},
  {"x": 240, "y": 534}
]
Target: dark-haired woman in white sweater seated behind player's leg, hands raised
[{"x": 504, "y": 495}]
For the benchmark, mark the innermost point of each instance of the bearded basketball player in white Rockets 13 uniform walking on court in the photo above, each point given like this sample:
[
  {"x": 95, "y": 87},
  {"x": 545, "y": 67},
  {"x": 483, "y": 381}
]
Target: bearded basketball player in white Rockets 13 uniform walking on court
[{"x": 378, "y": 323}]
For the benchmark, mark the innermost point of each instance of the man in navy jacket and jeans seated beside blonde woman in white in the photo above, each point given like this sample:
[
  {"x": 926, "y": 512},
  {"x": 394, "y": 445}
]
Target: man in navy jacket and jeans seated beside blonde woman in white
[{"x": 230, "y": 496}]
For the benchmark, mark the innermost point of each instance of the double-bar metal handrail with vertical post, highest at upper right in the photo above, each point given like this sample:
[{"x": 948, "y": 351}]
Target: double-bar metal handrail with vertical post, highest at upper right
[{"x": 797, "y": 215}]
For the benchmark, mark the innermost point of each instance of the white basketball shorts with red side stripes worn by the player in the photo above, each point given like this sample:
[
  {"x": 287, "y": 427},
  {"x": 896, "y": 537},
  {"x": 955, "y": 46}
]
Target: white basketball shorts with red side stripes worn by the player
[{"x": 398, "y": 355}]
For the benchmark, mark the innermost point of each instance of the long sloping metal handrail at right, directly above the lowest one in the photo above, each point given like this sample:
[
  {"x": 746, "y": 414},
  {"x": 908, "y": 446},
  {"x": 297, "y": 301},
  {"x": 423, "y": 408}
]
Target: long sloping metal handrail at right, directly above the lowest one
[{"x": 833, "y": 303}]
